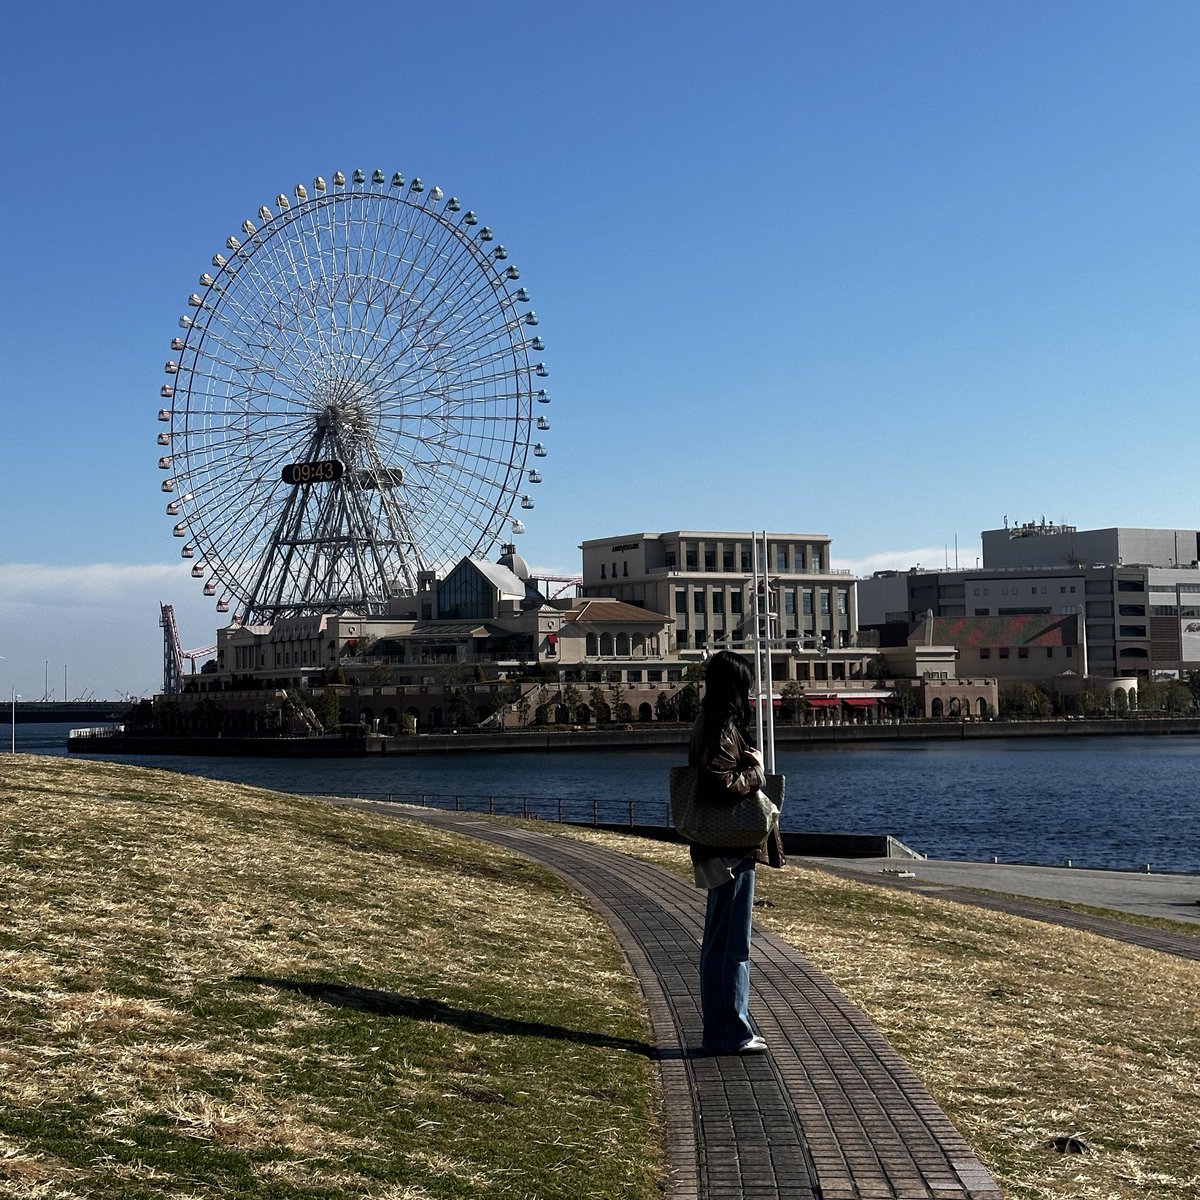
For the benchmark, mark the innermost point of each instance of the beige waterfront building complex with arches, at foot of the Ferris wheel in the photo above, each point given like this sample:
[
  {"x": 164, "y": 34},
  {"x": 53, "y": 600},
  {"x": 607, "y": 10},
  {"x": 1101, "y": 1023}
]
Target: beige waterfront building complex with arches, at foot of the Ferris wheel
[{"x": 485, "y": 645}]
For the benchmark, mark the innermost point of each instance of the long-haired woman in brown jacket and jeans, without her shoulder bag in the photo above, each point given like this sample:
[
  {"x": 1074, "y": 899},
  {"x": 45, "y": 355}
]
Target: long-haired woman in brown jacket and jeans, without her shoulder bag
[{"x": 722, "y": 747}]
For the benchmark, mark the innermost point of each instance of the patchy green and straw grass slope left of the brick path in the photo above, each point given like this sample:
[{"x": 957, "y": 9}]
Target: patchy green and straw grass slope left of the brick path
[{"x": 211, "y": 991}]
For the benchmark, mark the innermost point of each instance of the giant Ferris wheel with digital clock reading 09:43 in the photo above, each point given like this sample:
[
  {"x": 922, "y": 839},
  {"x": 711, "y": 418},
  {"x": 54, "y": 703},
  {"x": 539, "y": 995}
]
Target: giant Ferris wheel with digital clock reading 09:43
[{"x": 351, "y": 400}]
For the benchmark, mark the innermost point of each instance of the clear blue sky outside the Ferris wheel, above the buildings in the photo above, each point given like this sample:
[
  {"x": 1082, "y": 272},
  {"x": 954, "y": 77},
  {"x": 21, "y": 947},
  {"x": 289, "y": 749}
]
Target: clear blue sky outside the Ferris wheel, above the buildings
[{"x": 887, "y": 272}]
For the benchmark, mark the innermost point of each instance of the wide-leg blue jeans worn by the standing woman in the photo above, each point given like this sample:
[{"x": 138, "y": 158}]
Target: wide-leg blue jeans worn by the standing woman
[{"x": 725, "y": 962}]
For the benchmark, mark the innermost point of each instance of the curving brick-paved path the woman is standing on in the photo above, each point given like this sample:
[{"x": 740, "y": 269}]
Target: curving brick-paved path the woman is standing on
[{"x": 833, "y": 1113}]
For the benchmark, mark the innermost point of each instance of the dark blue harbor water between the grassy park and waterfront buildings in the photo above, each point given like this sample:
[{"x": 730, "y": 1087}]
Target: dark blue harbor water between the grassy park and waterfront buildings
[{"x": 1113, "y": 802}]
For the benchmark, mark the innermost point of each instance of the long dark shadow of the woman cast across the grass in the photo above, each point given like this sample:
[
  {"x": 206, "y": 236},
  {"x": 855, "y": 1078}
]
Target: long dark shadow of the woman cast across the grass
[{"x": 391, "y": 1004}]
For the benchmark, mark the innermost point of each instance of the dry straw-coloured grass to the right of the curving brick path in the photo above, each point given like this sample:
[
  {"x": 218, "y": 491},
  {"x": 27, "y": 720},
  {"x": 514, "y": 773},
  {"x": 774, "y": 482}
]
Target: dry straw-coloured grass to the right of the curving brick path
[{"x": 1024, "y": 1033}]
